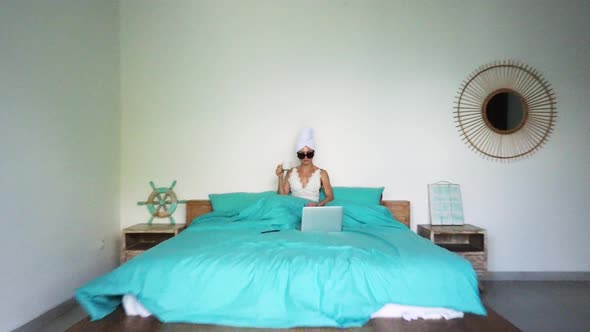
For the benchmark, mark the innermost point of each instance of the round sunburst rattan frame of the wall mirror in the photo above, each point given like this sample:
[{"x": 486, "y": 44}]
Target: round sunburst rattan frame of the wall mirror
[{"x": 538, "y": 106}]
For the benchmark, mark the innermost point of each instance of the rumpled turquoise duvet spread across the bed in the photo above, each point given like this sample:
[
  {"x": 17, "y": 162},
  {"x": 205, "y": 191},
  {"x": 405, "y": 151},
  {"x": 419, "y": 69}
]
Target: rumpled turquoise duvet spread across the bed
[{"x": 223, "y": 270}]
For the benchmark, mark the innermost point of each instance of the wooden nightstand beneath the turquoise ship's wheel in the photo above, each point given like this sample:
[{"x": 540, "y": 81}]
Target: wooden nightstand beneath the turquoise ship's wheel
[{"x": 141, "y": 237}]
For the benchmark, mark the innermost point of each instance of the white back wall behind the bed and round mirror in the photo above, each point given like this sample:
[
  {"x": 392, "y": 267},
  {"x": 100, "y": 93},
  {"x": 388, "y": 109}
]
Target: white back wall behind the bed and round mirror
[{"x": 214, "y": 93}]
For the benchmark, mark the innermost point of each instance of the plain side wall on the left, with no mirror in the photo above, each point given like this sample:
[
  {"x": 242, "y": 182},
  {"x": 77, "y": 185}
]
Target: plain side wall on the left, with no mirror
[{"x": 59, "y": 143}]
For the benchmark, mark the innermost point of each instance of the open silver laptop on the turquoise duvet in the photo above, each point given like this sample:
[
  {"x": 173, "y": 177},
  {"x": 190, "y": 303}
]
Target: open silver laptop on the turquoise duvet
[{"x": 322, "y": 219}]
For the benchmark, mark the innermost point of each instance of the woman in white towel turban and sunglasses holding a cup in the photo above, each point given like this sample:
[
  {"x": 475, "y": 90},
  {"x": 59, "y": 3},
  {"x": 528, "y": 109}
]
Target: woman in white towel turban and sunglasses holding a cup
[{"x": 307, "y": 179}]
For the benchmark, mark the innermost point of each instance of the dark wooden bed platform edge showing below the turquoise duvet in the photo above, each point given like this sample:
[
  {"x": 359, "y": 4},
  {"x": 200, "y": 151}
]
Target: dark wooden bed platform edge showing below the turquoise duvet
[{"x": 119, "y": 322}]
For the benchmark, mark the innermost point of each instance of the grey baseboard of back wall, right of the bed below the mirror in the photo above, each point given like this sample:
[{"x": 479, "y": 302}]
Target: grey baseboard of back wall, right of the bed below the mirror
[{"x": 536, "y": 276}]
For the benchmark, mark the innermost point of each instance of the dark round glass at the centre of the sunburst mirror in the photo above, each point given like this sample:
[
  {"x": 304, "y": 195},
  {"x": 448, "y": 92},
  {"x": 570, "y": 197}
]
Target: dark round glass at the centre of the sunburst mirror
[{"x": 505, "y": 111}]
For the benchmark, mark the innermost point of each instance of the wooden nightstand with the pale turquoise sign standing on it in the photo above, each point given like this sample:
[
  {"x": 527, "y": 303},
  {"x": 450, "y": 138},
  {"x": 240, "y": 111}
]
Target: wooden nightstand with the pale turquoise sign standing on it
[{"x": 466, "y": 240}]
